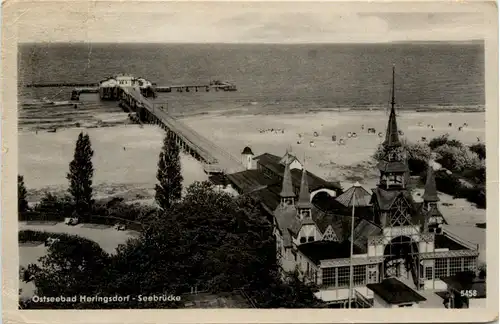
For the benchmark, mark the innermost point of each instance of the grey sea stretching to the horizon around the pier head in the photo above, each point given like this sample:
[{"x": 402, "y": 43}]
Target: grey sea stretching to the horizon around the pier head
[{"x": 270, "y": 77}]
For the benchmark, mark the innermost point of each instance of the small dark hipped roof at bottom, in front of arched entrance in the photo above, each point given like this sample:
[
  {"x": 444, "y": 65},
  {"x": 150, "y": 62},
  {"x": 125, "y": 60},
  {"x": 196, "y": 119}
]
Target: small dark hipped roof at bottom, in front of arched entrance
[{"x": 395, "y": 292}]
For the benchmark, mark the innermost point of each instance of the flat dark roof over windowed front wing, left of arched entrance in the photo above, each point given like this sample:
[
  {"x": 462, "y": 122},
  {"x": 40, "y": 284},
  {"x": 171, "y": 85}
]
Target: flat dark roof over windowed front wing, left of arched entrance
[{"x": 326, "y": 250}]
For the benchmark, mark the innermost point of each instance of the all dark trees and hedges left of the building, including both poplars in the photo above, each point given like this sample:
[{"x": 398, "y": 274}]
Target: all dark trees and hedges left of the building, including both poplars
[{"x": 206, "y": 239}]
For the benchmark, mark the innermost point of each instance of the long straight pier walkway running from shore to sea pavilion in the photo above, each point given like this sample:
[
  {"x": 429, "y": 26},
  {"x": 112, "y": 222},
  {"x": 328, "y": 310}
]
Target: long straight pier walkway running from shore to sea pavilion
[{"x": 214, "y": 158}]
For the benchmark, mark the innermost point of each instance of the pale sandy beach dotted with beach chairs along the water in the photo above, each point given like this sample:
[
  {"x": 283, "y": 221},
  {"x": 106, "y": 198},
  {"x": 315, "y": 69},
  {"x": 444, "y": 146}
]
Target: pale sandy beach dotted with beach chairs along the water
[{"x": 125, "y": 156}]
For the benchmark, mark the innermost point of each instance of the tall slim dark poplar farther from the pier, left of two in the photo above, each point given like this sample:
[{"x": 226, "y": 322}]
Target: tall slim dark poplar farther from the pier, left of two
[{"x": 80, "y": 175}]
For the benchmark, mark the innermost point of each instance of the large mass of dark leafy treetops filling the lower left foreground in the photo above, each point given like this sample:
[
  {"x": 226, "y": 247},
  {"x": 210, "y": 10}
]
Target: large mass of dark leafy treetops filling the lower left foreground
[{"x": 210, "y": 240}]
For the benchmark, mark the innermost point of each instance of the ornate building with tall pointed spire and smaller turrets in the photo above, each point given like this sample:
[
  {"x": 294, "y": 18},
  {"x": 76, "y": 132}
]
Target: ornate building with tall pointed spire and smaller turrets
[{"x": 389, "y": 239}]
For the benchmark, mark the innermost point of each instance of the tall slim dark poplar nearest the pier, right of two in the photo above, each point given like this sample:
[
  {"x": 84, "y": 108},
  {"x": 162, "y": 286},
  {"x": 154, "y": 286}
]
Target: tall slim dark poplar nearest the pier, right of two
[{"x": 169, "y": 188}]
